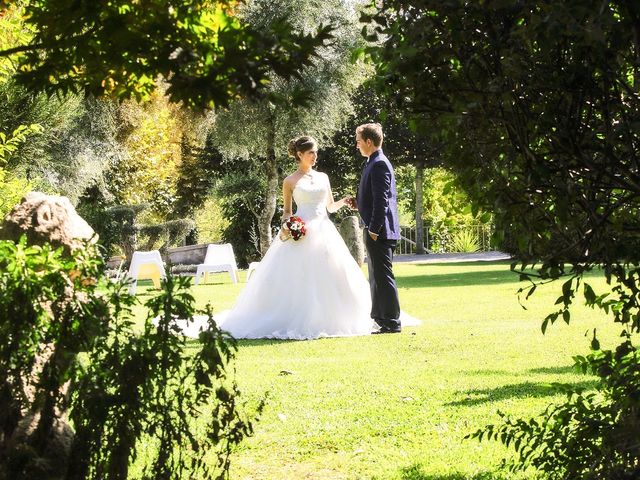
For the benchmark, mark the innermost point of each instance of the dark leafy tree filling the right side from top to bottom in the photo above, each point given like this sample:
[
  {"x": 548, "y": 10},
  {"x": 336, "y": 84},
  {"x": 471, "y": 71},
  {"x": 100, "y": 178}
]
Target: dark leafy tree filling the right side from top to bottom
[{"x": 540, "y": 104}]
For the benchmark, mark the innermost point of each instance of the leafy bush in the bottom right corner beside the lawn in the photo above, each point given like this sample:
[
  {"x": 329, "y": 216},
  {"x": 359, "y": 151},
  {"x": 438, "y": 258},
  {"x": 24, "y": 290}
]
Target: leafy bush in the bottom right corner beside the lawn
[{"x": 590, "y": 436}]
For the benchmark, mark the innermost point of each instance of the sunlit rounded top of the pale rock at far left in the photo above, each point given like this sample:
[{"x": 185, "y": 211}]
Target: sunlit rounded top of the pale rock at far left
[{"x": 47, "y": 218}]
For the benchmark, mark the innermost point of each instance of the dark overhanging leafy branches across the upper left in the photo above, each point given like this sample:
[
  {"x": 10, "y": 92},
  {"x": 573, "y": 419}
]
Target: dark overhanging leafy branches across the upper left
[{"x": 119, "y": 48}]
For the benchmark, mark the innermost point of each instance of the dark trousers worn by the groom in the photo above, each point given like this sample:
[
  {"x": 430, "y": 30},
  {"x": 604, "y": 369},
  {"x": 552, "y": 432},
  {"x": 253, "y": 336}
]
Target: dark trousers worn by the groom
[{"x": 385, "y": 307}]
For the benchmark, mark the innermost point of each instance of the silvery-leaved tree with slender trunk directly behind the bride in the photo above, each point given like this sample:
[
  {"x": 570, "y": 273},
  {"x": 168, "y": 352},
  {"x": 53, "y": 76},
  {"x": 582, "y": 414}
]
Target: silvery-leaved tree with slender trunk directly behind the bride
[{"x": 315, "y": 103}]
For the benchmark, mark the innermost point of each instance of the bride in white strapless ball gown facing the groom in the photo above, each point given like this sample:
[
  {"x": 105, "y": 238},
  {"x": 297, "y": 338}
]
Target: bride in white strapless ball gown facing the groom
[{"x": 310, "y": 287}]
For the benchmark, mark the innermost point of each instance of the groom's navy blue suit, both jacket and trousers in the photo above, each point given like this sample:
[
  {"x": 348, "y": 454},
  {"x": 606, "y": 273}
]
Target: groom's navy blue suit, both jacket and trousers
[{"x": 377, "y": 205}]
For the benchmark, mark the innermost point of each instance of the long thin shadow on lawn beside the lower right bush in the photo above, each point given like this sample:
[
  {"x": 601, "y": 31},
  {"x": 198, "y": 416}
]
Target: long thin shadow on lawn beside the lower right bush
[{"x": 520, "y": 390}]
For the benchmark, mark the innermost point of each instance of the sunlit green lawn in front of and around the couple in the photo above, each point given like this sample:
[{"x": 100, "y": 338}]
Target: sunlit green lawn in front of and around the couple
[{"x": 396, "y": 407}]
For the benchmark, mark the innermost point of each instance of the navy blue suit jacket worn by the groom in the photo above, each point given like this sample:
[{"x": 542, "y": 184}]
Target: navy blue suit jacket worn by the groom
[{"x": 377, "y": 197}]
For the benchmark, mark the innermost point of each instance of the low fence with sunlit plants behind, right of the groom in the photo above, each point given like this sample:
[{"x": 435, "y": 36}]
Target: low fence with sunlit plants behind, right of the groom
[{"x": 444, "y": 239}]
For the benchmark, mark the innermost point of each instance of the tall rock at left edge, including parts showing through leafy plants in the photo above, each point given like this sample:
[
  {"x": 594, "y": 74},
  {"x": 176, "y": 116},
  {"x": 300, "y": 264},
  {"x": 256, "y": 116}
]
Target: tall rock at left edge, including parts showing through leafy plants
[{"x": 44, "y": 219}]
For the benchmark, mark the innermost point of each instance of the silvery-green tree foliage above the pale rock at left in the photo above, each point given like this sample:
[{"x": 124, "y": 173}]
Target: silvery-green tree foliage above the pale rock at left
[{"x": 74, "y": 146}]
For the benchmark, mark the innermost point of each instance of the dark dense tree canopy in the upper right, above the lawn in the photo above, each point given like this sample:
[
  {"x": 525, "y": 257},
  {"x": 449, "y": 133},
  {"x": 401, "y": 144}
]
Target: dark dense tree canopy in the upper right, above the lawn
[{"x": 536, "y": 132}]
